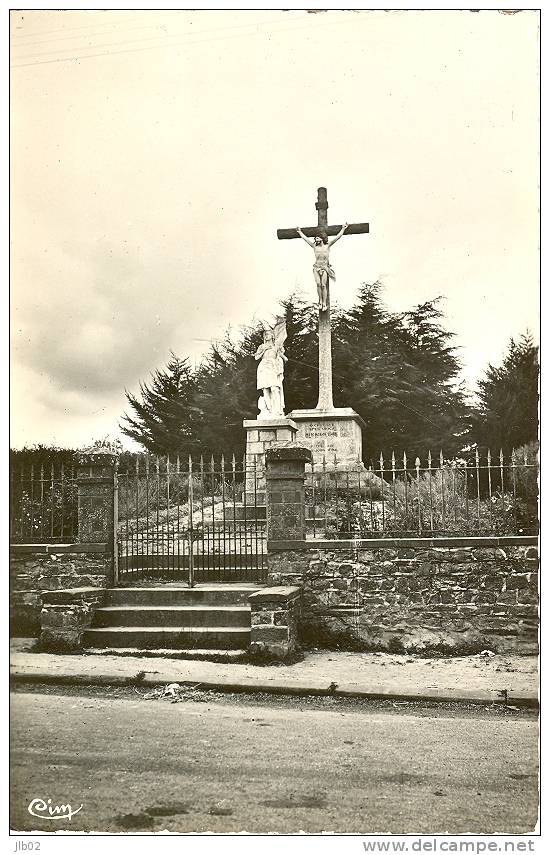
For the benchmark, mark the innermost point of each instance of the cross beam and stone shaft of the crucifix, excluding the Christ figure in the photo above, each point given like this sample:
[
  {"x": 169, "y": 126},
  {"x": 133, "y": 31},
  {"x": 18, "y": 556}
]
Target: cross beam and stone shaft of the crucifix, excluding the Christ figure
[{"x": 322, "y": 229}]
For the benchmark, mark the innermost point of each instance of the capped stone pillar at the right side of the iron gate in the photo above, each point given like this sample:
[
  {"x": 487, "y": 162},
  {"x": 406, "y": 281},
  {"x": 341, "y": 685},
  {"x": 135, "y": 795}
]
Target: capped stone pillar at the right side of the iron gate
[{"x": 285, "y": 477}]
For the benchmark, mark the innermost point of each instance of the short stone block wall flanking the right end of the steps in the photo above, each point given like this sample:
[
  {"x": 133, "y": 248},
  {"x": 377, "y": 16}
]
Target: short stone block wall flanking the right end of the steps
[{"x": 274, "y": 618}]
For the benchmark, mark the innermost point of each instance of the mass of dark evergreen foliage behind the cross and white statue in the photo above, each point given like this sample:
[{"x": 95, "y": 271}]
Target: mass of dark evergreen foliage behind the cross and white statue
[{"x": 397, "y": 370}]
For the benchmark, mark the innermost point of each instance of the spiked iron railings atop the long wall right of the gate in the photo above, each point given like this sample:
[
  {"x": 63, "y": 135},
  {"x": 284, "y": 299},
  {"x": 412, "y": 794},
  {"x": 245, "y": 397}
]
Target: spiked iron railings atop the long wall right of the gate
[{"x": 430, "y": 498}]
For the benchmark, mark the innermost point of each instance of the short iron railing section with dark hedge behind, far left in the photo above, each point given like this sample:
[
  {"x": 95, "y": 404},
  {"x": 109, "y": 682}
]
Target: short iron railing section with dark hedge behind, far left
[{"x": 43, "y": 504}]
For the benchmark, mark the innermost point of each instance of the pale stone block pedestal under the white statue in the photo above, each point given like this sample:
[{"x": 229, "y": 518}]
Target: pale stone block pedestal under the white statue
[{"x": 262, "y": 434}]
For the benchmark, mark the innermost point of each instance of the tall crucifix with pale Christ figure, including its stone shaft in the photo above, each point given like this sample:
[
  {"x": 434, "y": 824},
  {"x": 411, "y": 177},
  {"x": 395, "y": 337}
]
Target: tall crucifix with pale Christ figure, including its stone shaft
[{"x": 323, "y": 272}]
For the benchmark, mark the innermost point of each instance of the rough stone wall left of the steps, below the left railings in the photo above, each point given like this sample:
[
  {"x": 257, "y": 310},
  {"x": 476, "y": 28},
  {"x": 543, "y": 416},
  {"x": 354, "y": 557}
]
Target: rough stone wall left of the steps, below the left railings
[{"x": 36, "y": 568}]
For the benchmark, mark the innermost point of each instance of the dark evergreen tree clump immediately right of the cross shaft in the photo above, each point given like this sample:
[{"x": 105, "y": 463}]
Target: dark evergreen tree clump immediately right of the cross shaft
[{"x": 399, "y": 372}]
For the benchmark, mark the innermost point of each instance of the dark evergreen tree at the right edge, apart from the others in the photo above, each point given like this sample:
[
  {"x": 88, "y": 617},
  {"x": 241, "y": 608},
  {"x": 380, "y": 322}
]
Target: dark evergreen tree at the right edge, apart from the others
[{"x": 508, "y": 414}]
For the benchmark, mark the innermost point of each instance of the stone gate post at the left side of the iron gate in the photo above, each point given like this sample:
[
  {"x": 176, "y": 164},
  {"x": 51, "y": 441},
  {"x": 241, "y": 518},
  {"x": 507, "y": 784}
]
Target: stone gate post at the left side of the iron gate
[{"x": 96, "y": 502}]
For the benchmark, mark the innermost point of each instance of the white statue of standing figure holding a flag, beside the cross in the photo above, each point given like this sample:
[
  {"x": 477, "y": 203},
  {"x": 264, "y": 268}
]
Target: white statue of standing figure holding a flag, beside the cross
[{"x": 271, "y": 356}]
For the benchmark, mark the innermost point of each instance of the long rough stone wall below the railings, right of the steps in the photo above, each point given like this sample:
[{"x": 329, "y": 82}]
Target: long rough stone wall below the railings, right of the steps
[{"x": 450, "y": 596}]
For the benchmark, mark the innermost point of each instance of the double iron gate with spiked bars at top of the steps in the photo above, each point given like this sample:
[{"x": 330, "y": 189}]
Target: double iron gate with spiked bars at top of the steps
[{"x": 194, "y": 521}]
